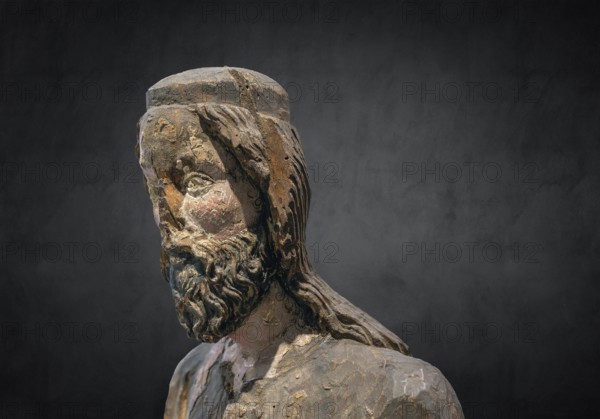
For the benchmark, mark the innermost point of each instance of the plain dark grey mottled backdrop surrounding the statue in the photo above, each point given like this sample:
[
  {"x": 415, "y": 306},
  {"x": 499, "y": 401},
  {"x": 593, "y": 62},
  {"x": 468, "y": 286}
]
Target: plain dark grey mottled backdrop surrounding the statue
[{"x": 438, "y": 134}]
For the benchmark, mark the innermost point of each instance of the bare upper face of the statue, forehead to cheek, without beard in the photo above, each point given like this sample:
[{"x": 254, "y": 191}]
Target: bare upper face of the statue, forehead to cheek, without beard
[{"x": 202, "y": 183}]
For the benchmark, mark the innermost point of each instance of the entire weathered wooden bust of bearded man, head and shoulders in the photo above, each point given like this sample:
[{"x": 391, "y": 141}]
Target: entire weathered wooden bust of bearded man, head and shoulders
[{"x": 230, "y": 191}]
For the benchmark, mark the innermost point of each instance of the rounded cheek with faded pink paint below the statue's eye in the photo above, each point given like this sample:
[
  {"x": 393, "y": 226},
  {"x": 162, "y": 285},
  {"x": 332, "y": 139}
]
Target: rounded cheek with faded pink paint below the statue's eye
[{"x": 217, "y": 211}]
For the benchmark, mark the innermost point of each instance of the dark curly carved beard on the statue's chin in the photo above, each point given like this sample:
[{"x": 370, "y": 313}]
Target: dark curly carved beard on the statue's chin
[{"x": 215, "y": 283}]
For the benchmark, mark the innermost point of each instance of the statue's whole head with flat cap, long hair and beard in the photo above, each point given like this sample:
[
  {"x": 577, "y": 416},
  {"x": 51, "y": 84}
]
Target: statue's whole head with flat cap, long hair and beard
[{"x": 227, "y": 178}]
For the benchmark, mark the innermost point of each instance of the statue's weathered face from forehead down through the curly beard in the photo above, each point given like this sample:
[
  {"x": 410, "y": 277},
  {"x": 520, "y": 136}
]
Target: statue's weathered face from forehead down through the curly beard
[{"x": 208, "y": 213}]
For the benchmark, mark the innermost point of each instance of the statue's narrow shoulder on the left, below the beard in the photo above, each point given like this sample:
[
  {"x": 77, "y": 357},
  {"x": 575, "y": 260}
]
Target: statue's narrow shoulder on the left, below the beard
[{"x": 189, "y": 378}]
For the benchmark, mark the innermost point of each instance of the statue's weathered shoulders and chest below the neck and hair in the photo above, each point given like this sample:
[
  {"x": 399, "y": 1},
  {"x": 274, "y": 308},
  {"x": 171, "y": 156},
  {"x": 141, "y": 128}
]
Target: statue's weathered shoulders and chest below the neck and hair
[{"x": 321, "y": 377}]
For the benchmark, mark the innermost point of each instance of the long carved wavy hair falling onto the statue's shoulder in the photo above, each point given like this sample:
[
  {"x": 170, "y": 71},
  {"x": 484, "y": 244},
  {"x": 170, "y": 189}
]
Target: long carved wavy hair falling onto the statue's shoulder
[{"x": 269, "y": 151}]
